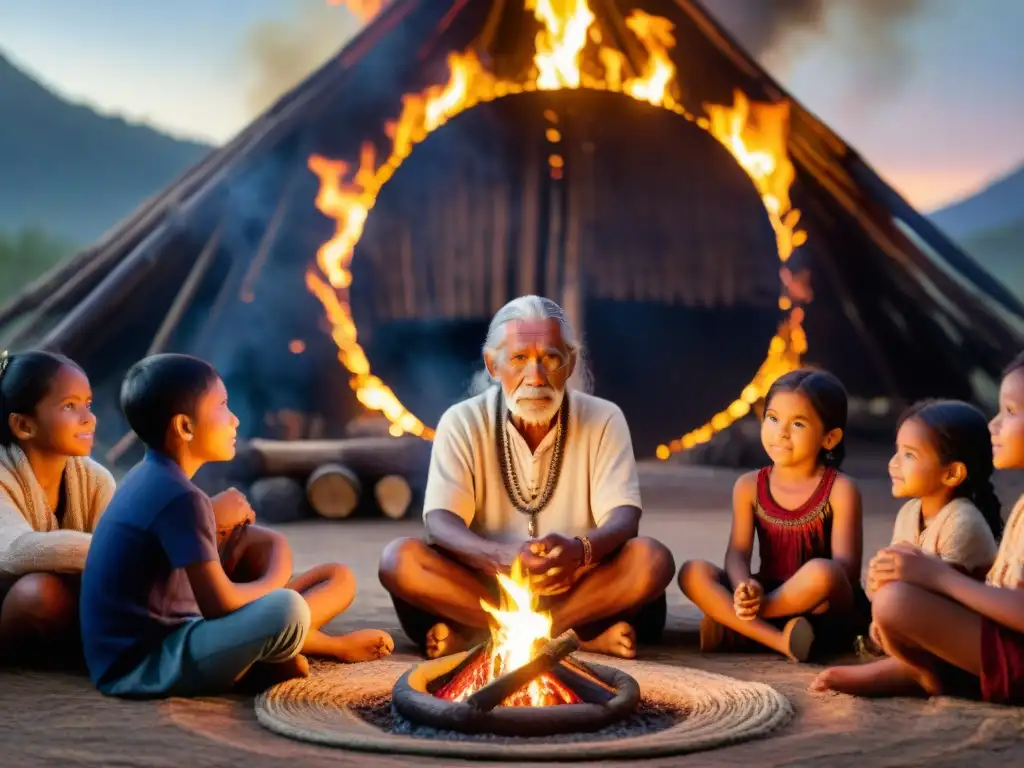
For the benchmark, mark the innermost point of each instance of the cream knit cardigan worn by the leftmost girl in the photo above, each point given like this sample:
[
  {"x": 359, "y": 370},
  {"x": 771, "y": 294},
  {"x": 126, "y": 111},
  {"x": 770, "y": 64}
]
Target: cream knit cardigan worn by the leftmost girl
[{"x": 31, "y": 538}]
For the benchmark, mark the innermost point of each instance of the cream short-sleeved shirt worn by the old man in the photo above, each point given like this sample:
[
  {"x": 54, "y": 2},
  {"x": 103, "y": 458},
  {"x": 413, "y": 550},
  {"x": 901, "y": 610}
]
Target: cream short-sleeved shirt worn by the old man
[{"x": 599, "y": 470}]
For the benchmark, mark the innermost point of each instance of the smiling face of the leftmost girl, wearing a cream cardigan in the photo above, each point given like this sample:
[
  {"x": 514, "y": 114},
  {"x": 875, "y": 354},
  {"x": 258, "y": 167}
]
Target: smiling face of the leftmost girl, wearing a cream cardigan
[{"x": 63, "y": 422}]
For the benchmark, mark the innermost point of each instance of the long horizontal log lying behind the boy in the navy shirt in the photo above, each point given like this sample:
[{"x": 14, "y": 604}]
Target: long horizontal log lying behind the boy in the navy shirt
[{"x": 370, "y": 458}]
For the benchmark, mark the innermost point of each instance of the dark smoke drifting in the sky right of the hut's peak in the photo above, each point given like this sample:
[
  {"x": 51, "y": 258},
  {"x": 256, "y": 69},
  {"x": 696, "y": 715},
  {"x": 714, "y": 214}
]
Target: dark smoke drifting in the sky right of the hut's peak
[{"x": 865, "y": 34}]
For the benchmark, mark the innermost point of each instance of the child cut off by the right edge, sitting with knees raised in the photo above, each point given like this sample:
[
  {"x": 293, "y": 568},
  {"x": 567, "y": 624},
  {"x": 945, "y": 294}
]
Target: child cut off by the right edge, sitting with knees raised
[{"x": 953, "y": 633}]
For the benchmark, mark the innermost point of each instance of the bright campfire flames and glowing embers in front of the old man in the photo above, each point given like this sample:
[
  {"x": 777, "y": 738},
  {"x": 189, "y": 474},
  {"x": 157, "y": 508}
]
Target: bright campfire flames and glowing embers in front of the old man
[{"x": 519, "y": 633}]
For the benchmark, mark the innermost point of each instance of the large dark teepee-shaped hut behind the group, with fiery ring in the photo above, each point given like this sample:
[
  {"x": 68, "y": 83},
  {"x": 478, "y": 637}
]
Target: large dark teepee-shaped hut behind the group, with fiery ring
[{"x": 628, "y": 159}]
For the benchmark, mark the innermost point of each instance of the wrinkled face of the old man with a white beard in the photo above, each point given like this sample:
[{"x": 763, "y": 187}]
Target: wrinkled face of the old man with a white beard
[{"x": 533, "y": 366}]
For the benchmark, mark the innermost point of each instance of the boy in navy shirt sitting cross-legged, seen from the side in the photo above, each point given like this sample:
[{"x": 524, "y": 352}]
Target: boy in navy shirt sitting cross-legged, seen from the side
[{"x": 160, "y": 617}]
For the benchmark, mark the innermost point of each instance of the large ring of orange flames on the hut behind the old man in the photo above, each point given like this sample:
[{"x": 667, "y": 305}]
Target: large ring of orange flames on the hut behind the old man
[{"x": 755, "y": 135}]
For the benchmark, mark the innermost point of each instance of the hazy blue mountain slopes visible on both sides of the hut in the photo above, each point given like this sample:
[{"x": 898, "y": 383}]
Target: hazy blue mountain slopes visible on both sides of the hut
[{"x": 97, "y": 169}]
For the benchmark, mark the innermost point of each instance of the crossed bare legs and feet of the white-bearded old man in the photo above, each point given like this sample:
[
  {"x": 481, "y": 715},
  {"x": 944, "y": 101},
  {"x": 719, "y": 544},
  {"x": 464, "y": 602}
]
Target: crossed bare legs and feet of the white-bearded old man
[{"x": 439, "y": 600}]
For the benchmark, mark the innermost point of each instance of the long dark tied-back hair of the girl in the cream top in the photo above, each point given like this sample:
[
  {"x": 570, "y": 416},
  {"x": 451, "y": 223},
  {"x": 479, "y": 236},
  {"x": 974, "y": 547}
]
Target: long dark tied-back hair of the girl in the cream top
[{"x": 960, "y": 434}]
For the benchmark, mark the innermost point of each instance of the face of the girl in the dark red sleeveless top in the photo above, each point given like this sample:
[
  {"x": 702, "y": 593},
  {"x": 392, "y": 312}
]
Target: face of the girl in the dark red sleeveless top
[{"x": 792, "y": 432}]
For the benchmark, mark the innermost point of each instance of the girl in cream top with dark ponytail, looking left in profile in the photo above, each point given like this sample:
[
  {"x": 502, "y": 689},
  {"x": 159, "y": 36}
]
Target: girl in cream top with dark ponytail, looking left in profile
[{"x": 944, "y": 463}]
